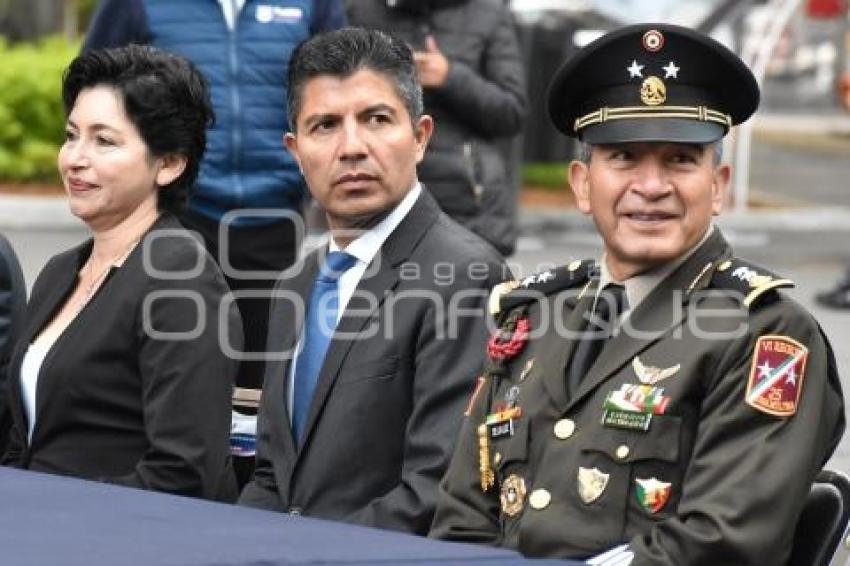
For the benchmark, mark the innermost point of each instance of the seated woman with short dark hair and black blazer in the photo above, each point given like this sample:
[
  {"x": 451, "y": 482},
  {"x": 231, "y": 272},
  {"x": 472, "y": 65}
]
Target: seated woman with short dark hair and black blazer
[{"x": 121, "y": 374}]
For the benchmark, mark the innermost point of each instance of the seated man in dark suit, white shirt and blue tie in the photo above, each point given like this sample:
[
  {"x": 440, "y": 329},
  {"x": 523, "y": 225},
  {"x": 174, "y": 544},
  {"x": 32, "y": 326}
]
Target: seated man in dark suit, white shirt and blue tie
[{"x": 358, "y": 421}]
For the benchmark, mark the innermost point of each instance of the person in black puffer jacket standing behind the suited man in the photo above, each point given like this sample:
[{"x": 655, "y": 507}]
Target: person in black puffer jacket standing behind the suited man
[{"x": 472, "y": 74}]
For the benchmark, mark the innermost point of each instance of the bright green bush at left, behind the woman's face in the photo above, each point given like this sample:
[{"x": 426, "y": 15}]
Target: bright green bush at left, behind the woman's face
[{"x": 31, "y": 115}]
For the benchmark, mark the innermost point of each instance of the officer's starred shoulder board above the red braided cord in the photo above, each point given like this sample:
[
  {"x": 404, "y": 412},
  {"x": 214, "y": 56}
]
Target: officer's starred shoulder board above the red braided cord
[{"x": 510, "y": 294}]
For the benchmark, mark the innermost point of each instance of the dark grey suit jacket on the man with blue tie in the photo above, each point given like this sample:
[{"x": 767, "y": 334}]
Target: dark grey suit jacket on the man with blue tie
[{"x": 391, "y": 394}]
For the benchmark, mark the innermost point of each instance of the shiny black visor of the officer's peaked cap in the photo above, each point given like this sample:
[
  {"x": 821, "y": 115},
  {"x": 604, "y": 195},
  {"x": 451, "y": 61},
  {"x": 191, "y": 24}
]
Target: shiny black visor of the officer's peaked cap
[{"x": 677, "y": 130}]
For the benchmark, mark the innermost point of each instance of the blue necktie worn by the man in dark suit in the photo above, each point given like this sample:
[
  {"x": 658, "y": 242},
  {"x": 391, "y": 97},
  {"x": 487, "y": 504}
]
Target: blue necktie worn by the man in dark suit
[{"x": 319, "y": 326}]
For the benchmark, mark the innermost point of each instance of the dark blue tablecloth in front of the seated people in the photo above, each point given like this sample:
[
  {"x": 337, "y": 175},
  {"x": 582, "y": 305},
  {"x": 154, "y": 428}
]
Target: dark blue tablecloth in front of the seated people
[{"x": 47, "y": 520}]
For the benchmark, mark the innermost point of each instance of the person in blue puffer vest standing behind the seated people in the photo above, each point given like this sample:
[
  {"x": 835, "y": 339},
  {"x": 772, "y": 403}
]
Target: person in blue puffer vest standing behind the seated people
[{"x": 248, "y": 181}]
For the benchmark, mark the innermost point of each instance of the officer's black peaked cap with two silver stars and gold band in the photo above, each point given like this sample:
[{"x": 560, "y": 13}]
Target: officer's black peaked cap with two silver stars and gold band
[{"x": 652, "y": 82}]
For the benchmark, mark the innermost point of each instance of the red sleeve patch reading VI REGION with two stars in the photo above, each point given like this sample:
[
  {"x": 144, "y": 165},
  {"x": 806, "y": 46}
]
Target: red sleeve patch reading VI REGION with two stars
[{"x": 776, "y": 375}]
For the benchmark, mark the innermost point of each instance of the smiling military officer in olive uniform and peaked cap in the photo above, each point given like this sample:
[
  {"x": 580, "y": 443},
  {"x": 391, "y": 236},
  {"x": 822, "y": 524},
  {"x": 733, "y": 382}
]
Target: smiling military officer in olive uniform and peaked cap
[{"x": 669, "y": 404}]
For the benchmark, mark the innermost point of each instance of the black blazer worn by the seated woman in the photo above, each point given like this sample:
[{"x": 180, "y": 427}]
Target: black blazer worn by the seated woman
[{"x": 136, "y": 391}]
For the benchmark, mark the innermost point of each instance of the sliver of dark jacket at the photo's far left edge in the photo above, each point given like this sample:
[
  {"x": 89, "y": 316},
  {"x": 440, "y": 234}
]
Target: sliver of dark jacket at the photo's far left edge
[{"x": 13, "y": 300}]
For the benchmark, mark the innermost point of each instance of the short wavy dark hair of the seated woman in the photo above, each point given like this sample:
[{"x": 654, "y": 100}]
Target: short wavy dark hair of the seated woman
[{"x": 164, "y": 96}]
